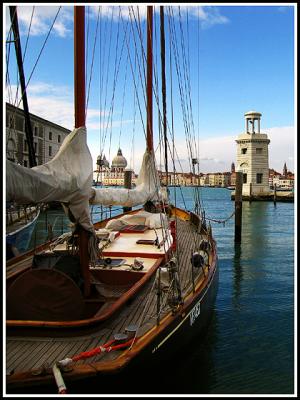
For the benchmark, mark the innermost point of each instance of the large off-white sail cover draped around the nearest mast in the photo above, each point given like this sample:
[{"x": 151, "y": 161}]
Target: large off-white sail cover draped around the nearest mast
[{"x": 66, "y": 178}]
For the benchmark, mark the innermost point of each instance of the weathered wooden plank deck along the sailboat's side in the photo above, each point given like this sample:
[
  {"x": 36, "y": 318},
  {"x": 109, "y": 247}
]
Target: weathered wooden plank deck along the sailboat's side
[{"x": 32, "y": 353}]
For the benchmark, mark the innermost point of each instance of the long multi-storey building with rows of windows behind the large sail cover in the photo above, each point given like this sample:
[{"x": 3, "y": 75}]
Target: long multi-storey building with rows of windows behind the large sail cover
[{"x": 47, "y": 137}]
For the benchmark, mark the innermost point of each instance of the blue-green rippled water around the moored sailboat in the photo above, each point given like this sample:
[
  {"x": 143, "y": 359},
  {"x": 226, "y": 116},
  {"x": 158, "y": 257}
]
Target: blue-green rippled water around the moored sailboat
[{"x": 248, "y": 348}]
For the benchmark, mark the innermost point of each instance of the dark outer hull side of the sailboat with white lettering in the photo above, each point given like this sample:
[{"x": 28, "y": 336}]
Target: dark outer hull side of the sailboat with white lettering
[{"x": 174, "y": 335}]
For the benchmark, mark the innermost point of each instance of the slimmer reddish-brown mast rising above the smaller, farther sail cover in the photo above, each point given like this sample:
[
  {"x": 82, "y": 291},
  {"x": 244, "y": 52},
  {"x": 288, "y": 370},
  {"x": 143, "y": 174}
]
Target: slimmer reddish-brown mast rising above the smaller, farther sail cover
[{"x": 149, "y": 79}]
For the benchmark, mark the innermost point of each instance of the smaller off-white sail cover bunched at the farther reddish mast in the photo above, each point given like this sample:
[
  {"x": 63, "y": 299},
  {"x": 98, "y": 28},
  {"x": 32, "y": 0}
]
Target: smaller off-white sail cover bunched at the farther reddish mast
[{"x": 147, "y": 188}]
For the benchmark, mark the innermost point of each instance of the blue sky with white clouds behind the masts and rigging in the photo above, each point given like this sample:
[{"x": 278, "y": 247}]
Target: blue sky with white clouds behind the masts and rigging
[{"x": 236, "y": 57}]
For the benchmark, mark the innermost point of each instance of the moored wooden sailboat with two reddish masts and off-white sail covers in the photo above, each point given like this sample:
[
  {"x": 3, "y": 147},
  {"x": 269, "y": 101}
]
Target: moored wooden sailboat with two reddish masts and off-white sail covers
[{"x": 109, "y": 294}]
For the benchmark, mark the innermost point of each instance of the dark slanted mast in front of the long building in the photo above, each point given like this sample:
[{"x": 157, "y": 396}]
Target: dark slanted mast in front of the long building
[{"x": 28, "y": 127}]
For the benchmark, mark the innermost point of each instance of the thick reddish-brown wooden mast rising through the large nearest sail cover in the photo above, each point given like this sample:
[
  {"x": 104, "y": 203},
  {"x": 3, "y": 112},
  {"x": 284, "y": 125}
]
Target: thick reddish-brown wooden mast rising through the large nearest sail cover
[{"x": 79, "y": 100}]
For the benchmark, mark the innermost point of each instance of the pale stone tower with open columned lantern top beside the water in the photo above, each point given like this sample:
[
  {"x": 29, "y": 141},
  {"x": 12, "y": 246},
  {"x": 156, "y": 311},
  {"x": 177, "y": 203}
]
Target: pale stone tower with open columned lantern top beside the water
[{"x": 253, "y": 157}]
